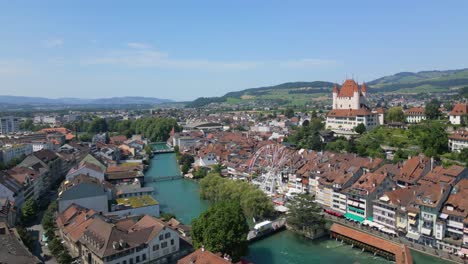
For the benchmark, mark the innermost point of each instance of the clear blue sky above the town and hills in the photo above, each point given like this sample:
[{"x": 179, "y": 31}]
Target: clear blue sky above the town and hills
[{"x": 185, "y": 49}]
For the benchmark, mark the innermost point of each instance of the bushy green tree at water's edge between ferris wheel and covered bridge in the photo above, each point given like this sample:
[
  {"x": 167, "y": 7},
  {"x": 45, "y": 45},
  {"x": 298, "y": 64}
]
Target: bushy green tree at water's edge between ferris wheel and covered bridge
[{"x": 304, "y": 215}]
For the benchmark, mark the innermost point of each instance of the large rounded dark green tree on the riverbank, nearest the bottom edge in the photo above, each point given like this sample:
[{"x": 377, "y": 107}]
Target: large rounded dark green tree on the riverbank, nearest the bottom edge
[{"x": 222, "y": 228}]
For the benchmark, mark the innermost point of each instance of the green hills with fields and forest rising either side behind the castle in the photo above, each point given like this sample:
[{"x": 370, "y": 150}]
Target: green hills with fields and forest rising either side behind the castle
[{"x": 298, "y": 93}]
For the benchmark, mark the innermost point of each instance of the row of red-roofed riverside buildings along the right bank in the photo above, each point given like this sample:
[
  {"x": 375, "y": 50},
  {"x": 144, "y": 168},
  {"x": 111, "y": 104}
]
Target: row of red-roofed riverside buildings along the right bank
[{"x": 415, "y": 199}]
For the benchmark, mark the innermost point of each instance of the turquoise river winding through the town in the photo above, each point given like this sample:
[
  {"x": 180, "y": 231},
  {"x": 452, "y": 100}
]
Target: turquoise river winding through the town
[{"x": 181, "y": 198}]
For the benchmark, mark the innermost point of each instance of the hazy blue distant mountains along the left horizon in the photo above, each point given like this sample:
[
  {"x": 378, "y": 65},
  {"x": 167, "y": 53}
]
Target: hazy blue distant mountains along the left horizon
[{"x": 127, "y": 100}]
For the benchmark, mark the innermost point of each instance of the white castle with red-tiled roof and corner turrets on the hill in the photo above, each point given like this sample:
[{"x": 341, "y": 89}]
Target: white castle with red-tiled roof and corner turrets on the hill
[{"x": 350, "y": 109}]
